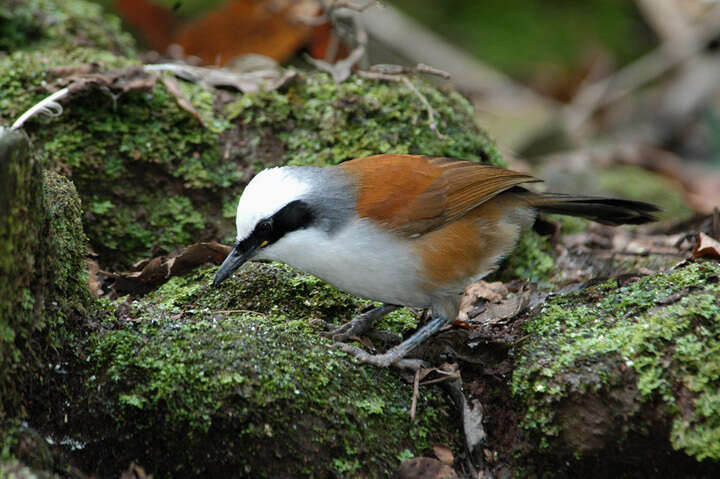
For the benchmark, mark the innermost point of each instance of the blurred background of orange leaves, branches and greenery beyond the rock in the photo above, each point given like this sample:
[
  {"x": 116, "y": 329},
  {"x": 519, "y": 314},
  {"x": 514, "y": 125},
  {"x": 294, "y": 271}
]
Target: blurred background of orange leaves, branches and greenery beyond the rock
[{"x": 568, "y": 89}]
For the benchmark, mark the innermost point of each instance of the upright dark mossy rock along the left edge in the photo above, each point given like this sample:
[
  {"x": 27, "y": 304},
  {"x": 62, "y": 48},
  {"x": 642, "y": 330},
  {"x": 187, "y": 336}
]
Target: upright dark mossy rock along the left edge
[{"x": 43, "y": 287}]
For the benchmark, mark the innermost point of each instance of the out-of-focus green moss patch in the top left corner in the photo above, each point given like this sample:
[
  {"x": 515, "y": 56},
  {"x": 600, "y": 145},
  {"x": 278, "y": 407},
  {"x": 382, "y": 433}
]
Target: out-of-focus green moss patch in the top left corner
[{"x": 63, "y": 24}]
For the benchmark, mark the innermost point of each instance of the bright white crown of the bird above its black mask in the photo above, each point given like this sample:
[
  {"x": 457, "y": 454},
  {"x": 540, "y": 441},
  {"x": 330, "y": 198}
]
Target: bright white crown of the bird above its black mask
[{"x": 265, "y": 195}]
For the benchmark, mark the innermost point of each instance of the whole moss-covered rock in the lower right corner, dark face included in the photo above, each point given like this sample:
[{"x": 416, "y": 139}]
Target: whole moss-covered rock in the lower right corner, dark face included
[{"x": 629, "y": 368}]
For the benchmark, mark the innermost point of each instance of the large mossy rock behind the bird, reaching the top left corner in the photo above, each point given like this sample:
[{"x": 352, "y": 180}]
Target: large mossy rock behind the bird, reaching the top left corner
[{"x": 153, "y": 178}]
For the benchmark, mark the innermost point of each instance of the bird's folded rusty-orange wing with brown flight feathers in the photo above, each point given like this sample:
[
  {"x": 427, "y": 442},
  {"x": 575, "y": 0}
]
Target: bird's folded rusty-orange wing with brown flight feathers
[{"x": 413, "y": 195}]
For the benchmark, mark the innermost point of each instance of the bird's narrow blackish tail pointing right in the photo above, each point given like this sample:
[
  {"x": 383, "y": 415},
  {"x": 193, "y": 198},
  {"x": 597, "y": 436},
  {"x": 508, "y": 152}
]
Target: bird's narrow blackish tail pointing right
[{"x": 609, "y": 211}]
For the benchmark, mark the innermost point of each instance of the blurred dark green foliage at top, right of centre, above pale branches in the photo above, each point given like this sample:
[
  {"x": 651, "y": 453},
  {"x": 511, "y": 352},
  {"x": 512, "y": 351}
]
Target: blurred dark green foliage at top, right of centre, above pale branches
[{"x": 523, "y": 36}]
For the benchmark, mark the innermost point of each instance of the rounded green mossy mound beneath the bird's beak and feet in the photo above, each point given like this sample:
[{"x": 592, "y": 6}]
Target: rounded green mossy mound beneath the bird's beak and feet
[{"x": 193, "y": 370}]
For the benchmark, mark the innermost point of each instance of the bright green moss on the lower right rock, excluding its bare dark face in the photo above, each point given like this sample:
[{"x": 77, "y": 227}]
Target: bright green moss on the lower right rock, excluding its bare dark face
[{"x": 662, "y": 330}]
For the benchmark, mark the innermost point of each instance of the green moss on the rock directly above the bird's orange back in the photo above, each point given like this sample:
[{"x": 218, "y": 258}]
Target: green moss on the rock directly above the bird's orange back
[{"x": 321, "y": 122}]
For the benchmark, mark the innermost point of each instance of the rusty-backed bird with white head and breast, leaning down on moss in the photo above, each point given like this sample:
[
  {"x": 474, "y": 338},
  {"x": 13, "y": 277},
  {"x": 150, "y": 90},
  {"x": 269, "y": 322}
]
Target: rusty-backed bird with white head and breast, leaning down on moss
[{"x": 403, "y": 230}]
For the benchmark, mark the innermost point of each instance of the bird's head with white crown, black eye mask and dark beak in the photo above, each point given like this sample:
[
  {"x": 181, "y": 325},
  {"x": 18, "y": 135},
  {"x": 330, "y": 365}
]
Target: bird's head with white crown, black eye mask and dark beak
[{"x": 273, "y": 206}]
